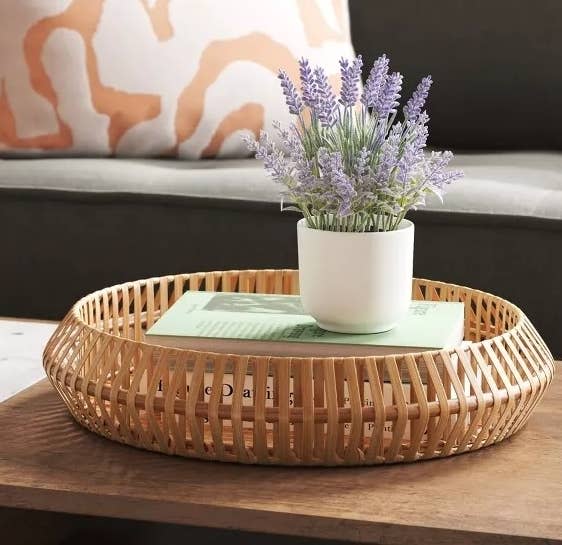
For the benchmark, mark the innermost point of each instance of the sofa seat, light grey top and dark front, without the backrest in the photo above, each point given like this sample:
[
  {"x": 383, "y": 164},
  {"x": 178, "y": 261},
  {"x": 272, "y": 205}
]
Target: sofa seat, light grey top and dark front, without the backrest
[{"x": 81, "y": 224}]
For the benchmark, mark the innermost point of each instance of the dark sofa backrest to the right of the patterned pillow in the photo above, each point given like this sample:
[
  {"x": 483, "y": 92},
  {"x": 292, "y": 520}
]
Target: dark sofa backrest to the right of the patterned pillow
[{"x": 497, "y": 65}]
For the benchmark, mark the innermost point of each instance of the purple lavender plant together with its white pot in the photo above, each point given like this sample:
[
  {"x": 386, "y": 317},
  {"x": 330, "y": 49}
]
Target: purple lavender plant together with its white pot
[{"x": 354, "y": 170}]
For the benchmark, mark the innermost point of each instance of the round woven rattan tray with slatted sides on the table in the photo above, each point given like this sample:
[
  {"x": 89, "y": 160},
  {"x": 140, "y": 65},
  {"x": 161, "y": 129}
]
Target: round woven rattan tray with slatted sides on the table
[{"x": 293, "y": 411}]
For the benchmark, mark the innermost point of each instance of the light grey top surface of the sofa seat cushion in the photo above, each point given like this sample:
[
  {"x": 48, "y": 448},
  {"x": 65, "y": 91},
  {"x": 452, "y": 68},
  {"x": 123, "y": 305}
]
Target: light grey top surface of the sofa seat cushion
[{"x": 515, "y": 184}]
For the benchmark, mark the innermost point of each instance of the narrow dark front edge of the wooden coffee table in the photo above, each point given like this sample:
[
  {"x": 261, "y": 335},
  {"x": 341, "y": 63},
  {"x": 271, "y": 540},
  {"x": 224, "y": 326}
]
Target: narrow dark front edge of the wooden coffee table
[{"x": 261, "y": 521}]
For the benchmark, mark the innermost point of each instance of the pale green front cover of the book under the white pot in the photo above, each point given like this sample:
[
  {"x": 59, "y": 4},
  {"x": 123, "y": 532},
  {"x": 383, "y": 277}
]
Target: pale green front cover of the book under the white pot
[{"x": 244, "y": 316}]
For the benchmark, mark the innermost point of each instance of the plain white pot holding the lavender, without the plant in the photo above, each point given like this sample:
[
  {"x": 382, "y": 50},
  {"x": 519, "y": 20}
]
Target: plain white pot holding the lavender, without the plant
[{"x": 356, "y": 282}]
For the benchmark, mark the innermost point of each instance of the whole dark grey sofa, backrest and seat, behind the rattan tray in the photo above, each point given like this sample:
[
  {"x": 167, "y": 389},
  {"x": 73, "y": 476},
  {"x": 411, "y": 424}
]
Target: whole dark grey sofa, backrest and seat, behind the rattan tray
[{"x": 70, "y": 226}]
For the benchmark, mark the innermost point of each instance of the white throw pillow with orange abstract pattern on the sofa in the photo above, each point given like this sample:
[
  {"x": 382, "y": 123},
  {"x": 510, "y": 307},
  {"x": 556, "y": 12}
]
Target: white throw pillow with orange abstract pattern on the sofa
[{"x": 182, "y": 78}]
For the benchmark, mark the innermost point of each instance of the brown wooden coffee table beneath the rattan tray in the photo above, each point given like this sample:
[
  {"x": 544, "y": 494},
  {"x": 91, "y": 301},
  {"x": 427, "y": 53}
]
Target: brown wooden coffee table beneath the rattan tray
[{"x": 509, "y": 493}]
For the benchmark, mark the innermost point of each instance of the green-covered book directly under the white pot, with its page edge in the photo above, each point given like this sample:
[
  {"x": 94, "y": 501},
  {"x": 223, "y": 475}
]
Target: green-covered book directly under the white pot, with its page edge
[{"x": 277, "y": 325}]
